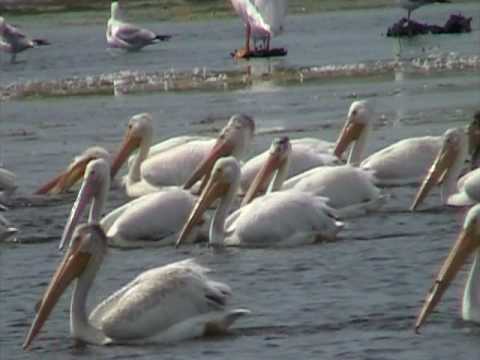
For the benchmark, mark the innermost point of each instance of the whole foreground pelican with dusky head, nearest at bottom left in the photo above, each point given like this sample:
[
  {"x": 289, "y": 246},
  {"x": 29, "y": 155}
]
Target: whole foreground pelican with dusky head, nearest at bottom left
[{"x": 165, "y": 304}]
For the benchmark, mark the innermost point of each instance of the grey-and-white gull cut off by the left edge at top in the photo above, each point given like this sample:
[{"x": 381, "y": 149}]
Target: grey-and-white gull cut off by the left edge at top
[{"x": 13, "y": 41}]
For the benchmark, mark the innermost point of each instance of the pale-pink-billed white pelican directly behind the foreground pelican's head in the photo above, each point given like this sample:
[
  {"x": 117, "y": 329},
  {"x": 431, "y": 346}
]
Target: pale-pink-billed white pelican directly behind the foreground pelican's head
[{"x": 136, "y": 223}]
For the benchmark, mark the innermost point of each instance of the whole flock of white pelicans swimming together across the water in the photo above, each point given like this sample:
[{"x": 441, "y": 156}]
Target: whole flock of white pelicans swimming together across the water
[{"x": 294, "y": 193}]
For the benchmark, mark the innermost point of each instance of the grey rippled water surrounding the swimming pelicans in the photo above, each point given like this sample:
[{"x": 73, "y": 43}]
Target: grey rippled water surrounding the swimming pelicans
[{"x": 353, "y": 299}]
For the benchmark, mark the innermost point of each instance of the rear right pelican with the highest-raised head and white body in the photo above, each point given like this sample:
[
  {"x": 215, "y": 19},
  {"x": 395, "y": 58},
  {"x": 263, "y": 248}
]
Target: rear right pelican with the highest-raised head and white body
[{"x": 403, "y": 162}]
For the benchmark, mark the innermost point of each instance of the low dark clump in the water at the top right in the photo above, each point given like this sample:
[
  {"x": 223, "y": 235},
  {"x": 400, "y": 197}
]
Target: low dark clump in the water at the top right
[{"x": 455, "y": 24}]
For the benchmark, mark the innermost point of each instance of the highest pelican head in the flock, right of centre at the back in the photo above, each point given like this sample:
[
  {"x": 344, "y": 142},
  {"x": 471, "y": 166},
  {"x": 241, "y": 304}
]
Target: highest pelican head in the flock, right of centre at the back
[{"x": 355, "y": 130}]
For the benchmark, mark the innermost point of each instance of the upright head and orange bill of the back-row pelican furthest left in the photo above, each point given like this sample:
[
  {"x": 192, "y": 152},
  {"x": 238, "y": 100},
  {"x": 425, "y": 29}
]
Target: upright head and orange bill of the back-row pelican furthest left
[{"x": 139, "y": 135}]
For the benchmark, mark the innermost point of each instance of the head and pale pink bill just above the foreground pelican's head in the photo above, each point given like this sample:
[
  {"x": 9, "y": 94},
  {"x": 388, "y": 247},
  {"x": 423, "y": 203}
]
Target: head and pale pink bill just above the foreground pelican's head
[{"x": 95, "y": 185}]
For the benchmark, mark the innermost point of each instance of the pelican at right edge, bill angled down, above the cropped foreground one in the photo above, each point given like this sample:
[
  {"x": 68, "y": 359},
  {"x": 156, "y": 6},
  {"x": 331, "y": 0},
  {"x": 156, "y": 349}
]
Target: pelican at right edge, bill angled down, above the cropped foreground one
[{"x": 446, "y": 169}]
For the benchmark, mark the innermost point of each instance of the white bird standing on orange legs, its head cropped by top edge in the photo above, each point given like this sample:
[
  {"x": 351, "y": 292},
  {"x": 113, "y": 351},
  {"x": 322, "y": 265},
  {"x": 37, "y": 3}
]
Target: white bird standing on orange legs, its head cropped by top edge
[{"x": 263, "y": 19}]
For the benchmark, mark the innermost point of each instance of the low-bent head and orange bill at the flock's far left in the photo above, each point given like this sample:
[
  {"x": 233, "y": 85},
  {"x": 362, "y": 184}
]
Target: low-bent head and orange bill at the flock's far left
[{"x": 66, "y": 179}]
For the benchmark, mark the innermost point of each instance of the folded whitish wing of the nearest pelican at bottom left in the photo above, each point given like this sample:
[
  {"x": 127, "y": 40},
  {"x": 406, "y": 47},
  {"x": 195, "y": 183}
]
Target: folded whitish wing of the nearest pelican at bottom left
[{"x": 159, "y": 299}]
